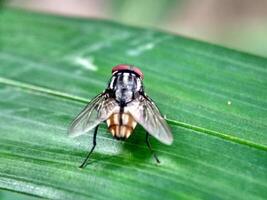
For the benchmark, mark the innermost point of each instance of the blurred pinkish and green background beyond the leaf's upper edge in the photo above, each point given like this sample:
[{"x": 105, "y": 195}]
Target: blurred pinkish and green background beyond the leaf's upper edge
[{"x": 238, "y": 24}]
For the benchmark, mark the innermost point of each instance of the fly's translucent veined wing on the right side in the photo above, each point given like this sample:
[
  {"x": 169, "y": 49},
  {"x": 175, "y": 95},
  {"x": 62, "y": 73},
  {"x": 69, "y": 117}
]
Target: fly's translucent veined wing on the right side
[{"x": 145, "y": 112}]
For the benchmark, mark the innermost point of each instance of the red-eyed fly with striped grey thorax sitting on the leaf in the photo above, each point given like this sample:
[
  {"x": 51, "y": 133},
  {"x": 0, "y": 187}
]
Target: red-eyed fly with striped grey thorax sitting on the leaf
[{"x": 122, "y": 105}]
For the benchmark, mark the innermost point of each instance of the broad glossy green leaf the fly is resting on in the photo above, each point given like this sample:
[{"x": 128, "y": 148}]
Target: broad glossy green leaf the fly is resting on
[{"x": 214, "y": 99}]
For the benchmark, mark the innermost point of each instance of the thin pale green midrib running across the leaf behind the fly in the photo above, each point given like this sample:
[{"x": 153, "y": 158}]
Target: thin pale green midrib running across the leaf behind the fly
[{"x": 225, "y": 136}]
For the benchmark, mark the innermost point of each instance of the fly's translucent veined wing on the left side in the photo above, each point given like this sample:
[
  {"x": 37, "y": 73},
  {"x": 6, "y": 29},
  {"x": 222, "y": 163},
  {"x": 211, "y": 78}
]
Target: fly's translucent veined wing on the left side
[{"x": 97, "y": 111}]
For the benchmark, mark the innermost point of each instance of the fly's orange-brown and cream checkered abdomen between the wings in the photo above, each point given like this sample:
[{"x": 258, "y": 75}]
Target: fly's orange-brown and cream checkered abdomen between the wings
[{"x": 122, "y": 125}]
